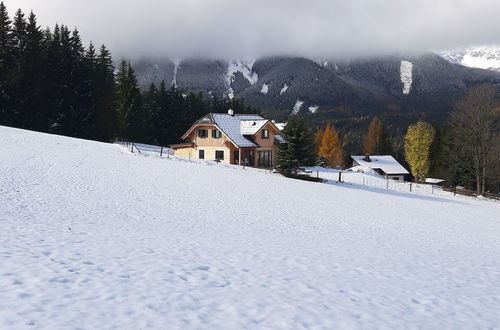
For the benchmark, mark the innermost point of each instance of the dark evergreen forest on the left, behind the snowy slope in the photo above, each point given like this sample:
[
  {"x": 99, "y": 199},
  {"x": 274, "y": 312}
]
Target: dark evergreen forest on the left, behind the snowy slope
[{"x": 50, "y": 82}]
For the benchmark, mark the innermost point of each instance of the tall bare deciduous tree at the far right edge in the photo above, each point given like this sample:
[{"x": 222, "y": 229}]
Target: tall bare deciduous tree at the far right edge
[{"x": 475, "y": 125}]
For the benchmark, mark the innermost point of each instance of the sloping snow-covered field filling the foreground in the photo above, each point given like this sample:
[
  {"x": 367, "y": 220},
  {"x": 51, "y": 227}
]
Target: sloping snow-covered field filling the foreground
[{"x": 93, "y": 237}]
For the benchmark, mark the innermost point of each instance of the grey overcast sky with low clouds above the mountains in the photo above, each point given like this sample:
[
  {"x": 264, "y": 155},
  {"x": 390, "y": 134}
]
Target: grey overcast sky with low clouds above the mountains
[{"x": 251, "y": 28}]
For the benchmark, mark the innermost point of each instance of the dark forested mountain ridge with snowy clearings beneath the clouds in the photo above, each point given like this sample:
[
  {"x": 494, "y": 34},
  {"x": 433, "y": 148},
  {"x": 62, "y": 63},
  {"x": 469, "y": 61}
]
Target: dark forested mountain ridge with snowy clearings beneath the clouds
[{"x": 426, "y": 86}]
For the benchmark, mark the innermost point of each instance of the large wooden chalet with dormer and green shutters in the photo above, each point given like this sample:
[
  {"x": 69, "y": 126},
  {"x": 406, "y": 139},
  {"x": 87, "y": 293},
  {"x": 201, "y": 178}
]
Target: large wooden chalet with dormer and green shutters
[{"x": 231, "y": 138}]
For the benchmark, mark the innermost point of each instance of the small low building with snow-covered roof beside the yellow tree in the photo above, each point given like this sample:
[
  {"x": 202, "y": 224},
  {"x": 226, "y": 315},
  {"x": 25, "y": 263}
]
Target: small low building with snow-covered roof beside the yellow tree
[{"x": 384, "y": 165}]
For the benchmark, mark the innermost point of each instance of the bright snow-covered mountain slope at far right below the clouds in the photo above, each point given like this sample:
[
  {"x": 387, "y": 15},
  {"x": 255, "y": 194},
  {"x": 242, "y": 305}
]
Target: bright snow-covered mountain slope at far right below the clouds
[{"x": 486, "y": 57}]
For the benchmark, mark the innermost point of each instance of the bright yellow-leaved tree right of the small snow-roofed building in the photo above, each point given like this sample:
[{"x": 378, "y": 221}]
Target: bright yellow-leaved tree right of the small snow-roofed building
[{"x": 417, "y": 143}]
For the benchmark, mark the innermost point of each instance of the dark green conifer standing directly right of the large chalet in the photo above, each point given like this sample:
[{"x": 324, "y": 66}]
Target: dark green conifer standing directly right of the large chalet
[{"x": 298, "y": 149}]
